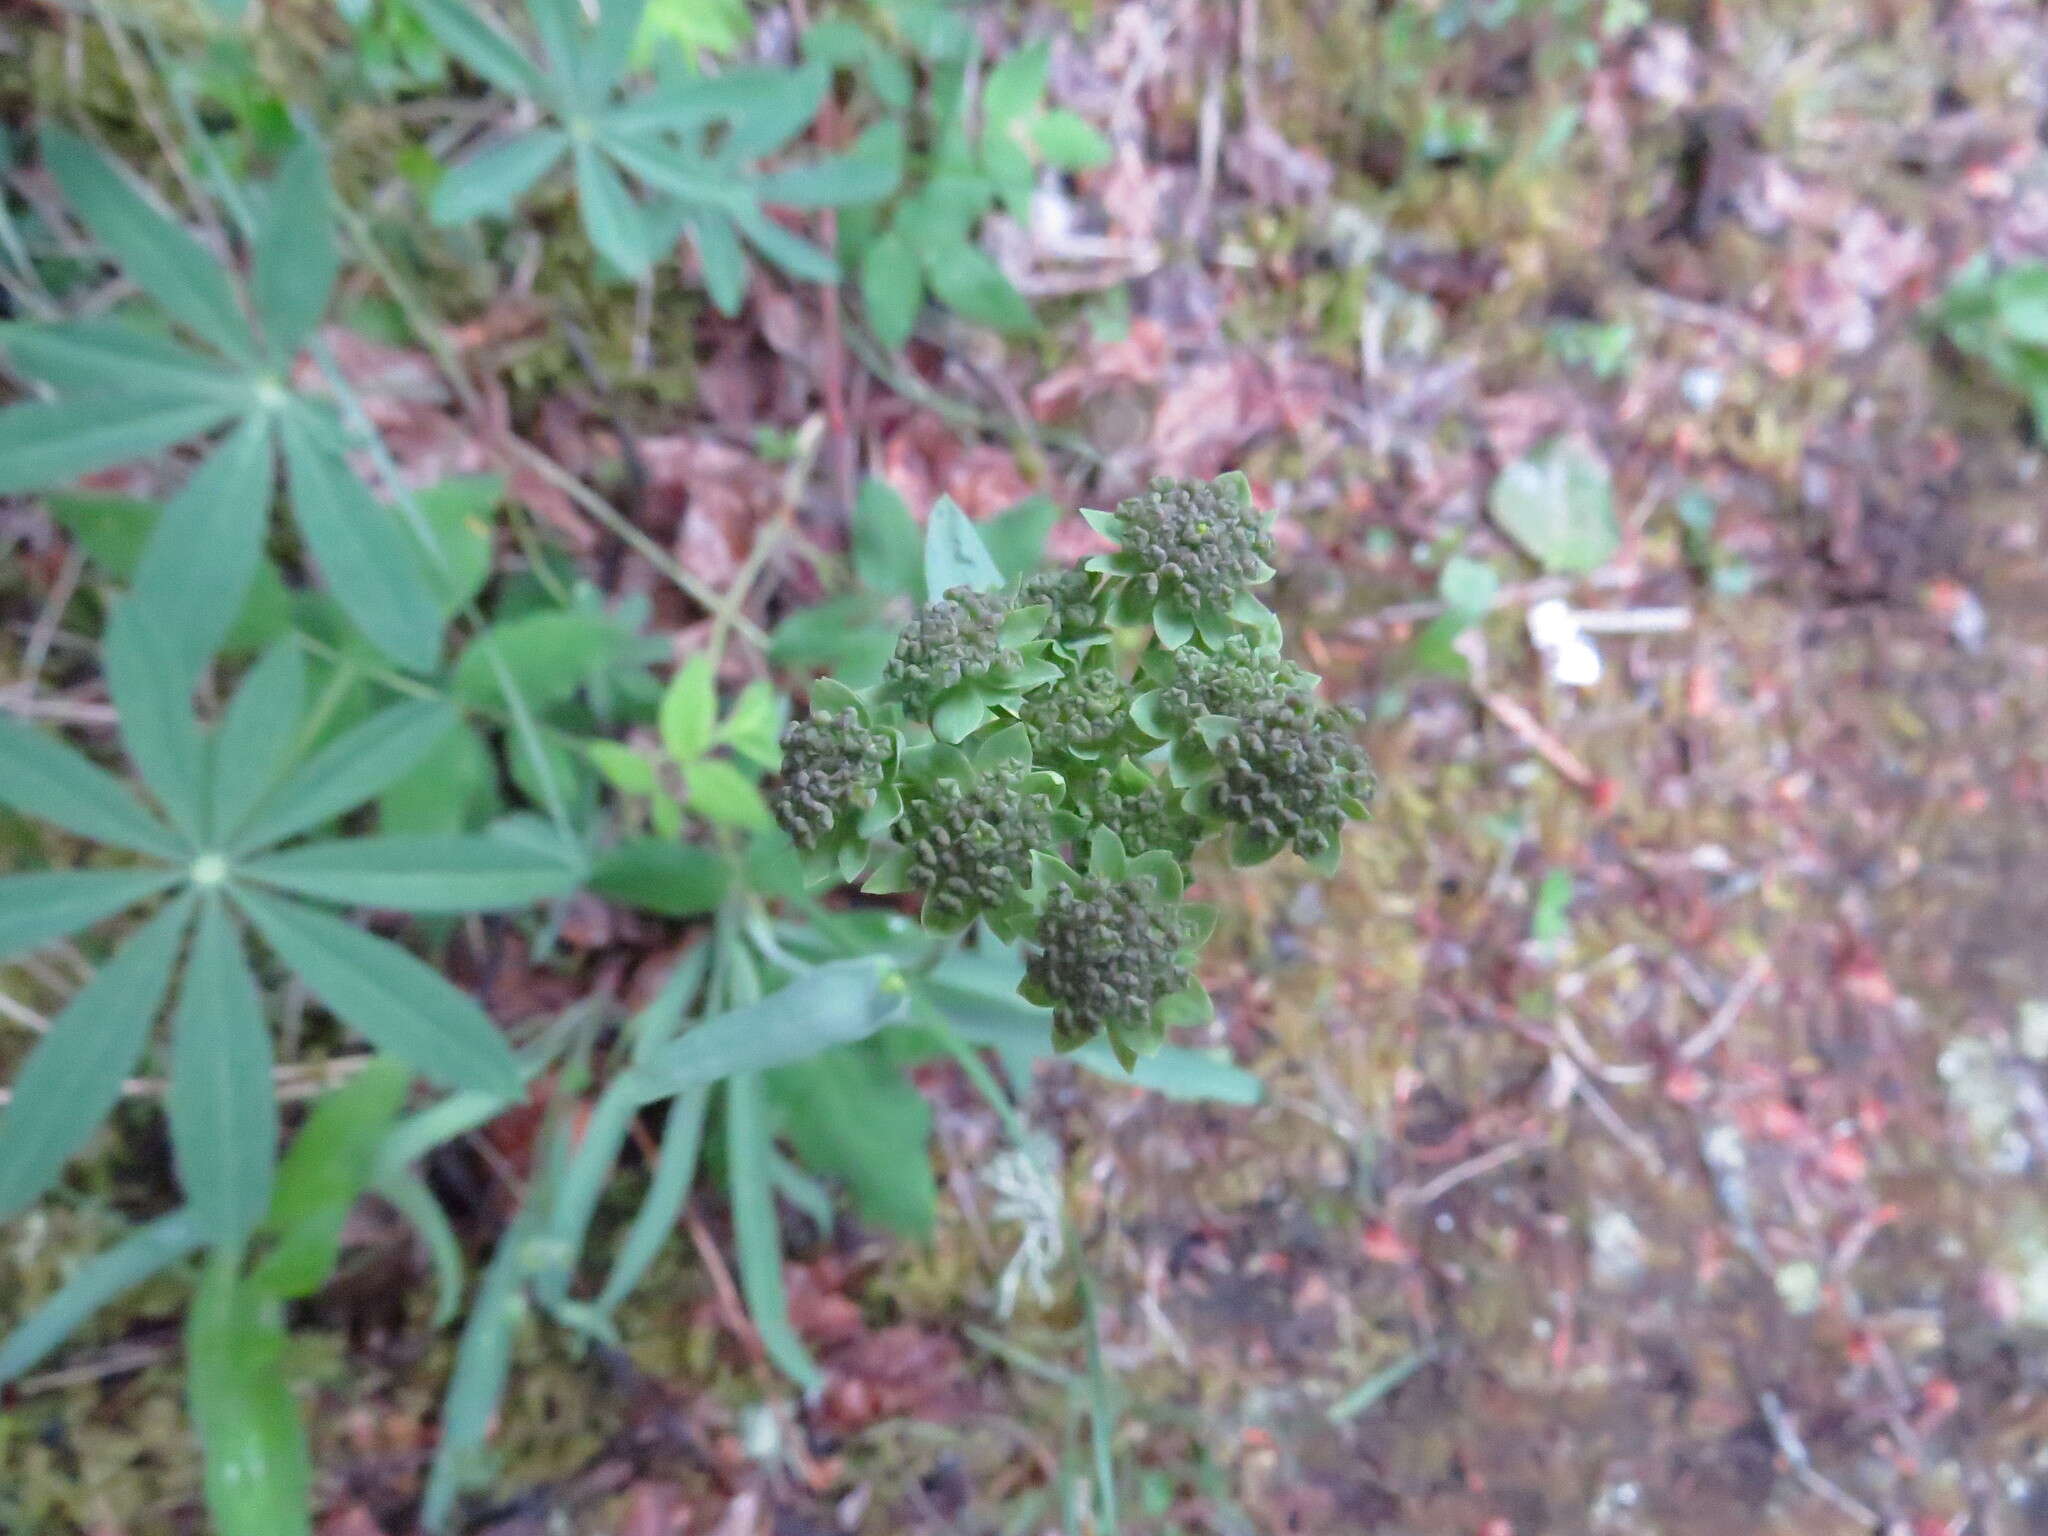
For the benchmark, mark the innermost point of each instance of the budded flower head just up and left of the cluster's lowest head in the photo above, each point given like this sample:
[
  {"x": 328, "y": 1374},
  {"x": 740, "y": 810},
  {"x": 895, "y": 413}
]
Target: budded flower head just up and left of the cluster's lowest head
[{"x": 970, "y": 843}]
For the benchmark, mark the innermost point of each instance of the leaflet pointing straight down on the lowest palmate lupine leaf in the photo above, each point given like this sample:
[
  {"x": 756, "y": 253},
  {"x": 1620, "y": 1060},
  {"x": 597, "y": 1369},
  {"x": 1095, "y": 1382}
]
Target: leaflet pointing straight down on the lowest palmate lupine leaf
[{"x": 220, "y": 1103}]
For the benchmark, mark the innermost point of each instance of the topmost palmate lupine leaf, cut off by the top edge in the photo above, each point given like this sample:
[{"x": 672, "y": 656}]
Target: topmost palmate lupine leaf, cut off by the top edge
[{"x": 691, "y": 144}]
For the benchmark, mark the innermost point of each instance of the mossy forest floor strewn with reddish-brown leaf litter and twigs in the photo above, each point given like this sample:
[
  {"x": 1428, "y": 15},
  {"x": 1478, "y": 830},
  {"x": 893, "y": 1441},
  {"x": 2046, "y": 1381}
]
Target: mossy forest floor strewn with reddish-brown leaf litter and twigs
[{"x": 1658, "y": 1099}]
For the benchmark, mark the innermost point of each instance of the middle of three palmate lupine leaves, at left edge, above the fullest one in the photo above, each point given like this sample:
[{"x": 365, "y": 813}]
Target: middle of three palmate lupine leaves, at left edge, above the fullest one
[{"x": 126, "y": 394}]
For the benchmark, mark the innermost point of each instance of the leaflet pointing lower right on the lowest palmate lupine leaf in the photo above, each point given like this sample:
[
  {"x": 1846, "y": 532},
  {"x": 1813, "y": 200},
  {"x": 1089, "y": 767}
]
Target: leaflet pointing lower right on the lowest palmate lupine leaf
[{"x": 388, "y": 996}]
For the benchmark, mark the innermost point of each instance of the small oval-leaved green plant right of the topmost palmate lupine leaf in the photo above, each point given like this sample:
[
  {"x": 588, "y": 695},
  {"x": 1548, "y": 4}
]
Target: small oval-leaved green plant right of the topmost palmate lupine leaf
[{"x": 986, "y": 153}]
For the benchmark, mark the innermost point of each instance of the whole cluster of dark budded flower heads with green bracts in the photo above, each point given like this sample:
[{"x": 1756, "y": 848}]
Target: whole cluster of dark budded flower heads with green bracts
[{"x": 1048, "y": 759}]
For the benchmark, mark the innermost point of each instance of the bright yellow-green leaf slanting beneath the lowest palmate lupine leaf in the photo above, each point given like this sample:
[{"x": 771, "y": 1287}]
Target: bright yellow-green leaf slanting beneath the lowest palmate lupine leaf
[{"x": 323, "y": 1175}]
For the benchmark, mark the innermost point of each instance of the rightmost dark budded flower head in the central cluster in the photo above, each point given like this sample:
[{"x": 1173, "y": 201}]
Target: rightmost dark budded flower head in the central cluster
[{"x": 1289, "y": 773}]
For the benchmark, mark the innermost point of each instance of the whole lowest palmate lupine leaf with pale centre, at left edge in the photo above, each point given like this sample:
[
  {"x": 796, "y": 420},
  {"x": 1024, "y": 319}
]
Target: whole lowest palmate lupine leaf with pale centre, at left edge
[{"x": 228, "y": 863}]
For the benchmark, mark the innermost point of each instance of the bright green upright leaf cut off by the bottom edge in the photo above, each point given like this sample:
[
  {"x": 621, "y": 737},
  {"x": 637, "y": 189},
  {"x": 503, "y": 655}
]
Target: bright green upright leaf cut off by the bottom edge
[{"x": 259, "y": 1474}]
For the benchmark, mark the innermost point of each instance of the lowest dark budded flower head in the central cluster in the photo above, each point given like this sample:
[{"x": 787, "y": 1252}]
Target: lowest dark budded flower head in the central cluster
[{"x": 1107, "y": 953}]
